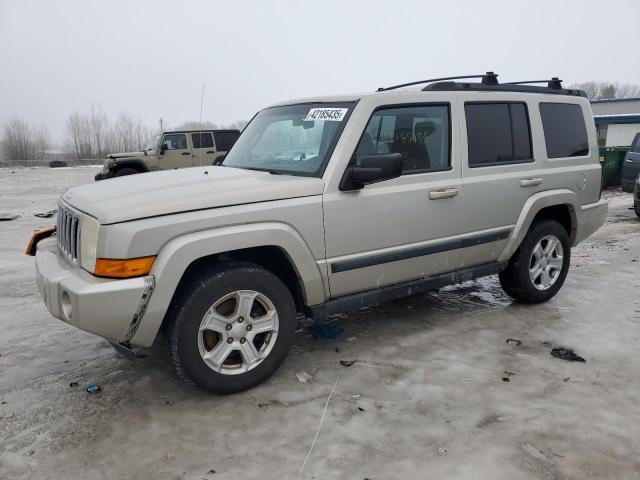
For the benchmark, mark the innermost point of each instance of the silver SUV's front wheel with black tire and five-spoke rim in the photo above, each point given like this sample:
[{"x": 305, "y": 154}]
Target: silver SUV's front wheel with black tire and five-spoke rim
[{"x": 231, "y": 328}]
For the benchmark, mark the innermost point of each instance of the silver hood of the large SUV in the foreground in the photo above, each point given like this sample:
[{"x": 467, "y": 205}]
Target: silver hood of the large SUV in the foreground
[{"x": 173, "y": 191}]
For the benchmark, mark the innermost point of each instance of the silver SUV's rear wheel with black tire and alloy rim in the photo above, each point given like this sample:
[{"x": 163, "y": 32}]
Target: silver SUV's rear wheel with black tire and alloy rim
[{"x": 539, "y": 266}]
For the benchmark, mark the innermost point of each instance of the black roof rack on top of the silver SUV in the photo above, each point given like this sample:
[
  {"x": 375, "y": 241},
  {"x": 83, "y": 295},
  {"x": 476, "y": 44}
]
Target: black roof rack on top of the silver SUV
[{"x": 489, "y": 82}]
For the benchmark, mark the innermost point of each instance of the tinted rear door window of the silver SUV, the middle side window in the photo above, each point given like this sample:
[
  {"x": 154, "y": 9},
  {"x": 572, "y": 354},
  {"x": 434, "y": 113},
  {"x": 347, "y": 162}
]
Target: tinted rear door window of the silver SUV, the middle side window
[{"x": 498, "y": 133}]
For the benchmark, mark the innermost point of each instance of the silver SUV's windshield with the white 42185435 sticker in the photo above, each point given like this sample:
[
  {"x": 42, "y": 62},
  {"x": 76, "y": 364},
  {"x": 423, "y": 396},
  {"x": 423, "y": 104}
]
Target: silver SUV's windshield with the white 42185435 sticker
[{"x": 294, "y": 139}]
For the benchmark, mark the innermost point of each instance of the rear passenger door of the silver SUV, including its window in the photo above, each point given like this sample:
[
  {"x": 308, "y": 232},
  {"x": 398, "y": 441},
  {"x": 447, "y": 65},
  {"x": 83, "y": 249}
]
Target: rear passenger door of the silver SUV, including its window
[{"x": 499, "y": 170}]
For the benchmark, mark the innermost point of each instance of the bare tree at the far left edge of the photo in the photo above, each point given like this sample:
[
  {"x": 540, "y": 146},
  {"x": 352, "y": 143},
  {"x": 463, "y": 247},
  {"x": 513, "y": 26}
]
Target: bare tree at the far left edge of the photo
[{"x": 22, "y": 141}]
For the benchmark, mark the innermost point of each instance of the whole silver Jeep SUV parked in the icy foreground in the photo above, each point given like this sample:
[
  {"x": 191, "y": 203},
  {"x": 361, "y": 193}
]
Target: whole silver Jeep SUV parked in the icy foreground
[{"x": 324, "y": 205}]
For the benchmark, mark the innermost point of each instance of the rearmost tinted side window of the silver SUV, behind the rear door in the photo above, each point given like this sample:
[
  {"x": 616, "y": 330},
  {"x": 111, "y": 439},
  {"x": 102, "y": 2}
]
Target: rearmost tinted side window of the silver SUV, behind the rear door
[{"x": 564, "y": 130}]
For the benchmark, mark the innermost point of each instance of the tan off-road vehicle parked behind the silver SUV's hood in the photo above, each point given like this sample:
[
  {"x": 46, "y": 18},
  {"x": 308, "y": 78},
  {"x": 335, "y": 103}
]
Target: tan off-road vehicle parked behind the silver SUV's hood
[{"x": 171, "y": 150}]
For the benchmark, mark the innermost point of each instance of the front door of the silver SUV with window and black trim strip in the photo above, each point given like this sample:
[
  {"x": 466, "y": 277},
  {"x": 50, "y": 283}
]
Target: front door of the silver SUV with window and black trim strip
[{"x": 399, "y": 229}]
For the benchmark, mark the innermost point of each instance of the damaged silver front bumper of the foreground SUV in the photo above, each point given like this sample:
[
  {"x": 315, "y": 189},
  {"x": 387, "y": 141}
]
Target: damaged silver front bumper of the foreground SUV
[{"x": 109, "y": 308}]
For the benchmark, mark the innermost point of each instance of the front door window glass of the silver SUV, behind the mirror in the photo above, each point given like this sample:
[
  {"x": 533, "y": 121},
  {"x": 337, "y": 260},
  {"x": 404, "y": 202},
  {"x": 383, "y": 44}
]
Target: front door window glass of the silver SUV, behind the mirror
[{"x": 419, "y": 133}]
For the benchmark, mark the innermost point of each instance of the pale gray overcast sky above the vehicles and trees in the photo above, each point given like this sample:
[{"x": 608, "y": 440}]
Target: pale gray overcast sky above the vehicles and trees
[{"x": 150, "y": 57}]
